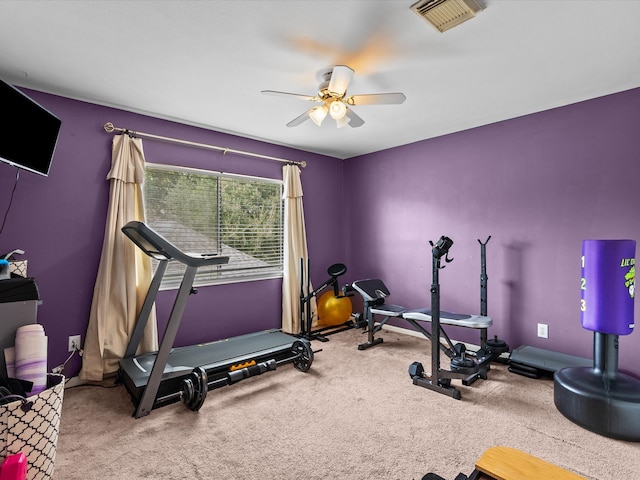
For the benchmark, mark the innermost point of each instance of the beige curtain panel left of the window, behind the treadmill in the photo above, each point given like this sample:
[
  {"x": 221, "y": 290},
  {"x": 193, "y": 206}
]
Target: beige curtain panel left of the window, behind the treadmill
[{"x": 124, "y": 273}]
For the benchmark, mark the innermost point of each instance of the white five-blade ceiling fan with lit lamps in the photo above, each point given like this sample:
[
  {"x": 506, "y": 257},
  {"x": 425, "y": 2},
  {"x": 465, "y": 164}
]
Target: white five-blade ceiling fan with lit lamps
[{"x": 333, "y": 100}]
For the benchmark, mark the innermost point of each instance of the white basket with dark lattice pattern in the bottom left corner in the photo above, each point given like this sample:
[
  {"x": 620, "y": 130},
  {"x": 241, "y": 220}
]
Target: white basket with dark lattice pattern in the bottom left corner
[{"x": 31, "y": 426}]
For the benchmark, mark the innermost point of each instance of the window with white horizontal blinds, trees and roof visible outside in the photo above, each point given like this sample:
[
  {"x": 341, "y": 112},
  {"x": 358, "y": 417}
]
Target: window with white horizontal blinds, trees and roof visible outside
[{"x": 210, "y": 212}]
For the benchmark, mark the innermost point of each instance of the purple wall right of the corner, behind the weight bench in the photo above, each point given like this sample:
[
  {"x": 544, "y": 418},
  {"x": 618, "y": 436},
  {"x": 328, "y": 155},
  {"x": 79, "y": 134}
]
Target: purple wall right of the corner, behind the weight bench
[{"x": 538, "y": 184}]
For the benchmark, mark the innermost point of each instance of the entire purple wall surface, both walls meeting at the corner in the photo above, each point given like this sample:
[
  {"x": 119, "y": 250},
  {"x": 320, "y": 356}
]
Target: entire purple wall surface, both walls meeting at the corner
[{"x": 538, "y": 185}]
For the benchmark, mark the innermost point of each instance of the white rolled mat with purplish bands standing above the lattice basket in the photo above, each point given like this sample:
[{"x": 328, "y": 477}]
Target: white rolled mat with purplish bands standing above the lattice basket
[{"x": 31, "y": 356}]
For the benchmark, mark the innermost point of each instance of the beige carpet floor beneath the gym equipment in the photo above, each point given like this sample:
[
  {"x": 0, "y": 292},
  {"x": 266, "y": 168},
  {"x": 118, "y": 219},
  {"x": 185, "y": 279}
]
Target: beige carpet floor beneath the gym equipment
[{"x": 354, "y": 415}]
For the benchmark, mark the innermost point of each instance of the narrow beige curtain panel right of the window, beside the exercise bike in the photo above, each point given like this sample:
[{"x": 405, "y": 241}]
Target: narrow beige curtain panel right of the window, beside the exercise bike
[{"x": 295, "y": 248}]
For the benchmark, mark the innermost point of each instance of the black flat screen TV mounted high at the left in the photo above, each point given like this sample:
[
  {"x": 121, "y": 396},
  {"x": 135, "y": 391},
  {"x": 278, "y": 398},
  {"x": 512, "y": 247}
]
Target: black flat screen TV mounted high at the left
[{"x": 28, "y": 131}]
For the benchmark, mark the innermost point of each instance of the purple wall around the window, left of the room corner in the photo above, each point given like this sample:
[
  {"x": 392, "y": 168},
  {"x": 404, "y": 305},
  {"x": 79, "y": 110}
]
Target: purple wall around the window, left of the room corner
[{"x": 59, "y": 222}]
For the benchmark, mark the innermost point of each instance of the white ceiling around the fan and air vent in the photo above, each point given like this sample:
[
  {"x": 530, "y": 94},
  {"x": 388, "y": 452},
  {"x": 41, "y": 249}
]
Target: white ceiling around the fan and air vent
[{"x": 205, "y": 62}]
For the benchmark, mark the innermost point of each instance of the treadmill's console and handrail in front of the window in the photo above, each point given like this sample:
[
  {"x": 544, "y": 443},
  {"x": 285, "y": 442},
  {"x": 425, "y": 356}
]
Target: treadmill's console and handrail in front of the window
[{"x": 158, "y": 247}]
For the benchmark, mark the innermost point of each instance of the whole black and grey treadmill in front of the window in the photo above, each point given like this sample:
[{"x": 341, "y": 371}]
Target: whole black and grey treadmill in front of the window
[{"x": 156, "y": 379}]
